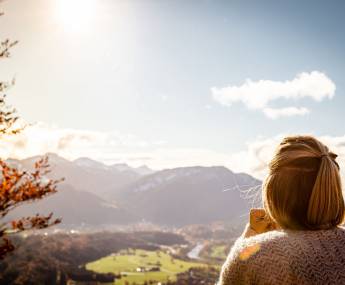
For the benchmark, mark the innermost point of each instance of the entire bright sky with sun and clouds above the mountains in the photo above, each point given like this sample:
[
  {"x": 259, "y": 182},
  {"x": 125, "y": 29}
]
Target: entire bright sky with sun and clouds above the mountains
[{"x": 174, "y": 83}]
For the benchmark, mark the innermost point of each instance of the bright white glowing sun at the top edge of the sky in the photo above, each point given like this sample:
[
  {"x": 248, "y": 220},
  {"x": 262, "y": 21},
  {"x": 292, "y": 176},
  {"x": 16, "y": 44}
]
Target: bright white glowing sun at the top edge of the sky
[{"x": 76, "y": 15}]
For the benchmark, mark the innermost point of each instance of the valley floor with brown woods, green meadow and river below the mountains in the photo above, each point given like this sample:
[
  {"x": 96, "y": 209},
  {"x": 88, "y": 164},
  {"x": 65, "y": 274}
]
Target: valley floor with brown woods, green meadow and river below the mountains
[{"x": 140, "y": 258}]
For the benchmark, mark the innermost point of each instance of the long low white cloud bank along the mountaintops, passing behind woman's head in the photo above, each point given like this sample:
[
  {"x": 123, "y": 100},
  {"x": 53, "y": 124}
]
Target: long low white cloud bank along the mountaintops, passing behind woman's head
[{"x": 114, "y": 147}]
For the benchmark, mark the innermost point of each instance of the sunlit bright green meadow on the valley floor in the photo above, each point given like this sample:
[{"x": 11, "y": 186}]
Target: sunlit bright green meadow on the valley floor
[{"x": 127, "y": 262}]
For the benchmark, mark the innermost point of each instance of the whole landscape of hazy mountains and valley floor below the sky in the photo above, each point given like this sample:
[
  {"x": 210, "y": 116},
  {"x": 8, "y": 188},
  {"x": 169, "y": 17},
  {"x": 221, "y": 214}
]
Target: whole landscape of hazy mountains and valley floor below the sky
[{"x": 131, "y": 225}]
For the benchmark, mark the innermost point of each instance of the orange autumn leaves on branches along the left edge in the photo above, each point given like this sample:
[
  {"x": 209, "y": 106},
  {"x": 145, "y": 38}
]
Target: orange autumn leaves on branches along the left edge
[{"x": 19, "y": 186}]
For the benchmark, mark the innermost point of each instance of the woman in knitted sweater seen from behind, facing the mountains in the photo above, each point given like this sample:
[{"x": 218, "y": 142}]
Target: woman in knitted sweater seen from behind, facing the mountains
[{"x": 297, "y": 240}]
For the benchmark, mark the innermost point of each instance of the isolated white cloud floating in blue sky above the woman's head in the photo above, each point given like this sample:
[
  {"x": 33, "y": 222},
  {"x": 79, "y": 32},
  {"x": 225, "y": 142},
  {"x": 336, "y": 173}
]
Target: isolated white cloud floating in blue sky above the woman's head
[{"x": 258, "y": 95}]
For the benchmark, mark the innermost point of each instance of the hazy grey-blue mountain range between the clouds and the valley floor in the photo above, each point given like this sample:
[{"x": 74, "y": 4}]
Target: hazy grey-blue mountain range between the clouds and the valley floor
[{"x": 94, "y": 193}]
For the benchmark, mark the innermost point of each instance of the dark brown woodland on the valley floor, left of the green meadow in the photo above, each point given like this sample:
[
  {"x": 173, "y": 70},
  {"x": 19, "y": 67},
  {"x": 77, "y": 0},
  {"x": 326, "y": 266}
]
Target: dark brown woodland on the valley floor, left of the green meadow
[{"x": 39, "y": 259}]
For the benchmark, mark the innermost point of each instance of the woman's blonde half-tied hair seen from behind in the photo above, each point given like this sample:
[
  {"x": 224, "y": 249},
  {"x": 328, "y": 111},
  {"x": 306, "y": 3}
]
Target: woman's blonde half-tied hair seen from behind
[{"x": 303, "y": 187}]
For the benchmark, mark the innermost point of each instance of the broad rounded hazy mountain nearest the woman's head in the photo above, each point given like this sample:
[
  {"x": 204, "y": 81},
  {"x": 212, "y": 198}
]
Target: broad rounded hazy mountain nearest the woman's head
[{"x": 189, "y": 195}]
